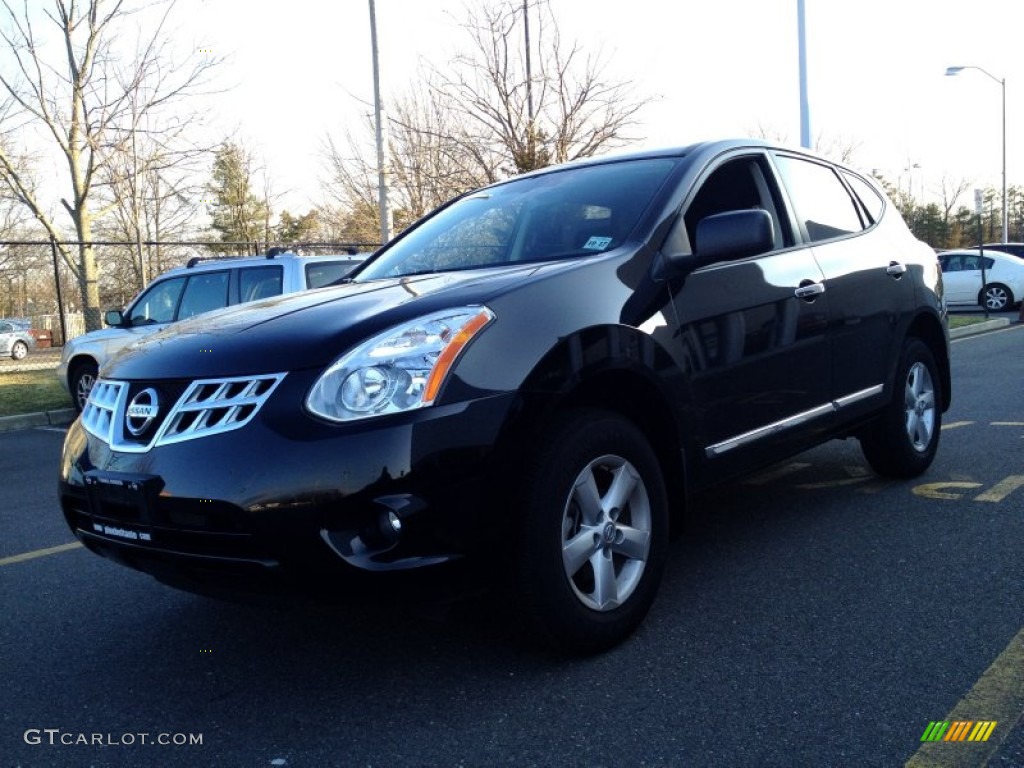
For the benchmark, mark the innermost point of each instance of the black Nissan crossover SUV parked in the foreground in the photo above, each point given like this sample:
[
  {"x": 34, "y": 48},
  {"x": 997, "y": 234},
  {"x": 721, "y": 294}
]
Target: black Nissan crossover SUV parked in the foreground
[{"x": 533, "y": 377}]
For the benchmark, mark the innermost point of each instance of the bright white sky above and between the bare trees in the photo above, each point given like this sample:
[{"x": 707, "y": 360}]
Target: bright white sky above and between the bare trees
[{"x": 301, "y": 70}]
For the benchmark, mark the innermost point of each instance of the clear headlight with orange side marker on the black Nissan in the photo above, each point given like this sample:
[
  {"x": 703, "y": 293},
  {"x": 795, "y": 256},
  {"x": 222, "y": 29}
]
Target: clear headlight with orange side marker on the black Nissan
[{"x": 400, "y": 370}]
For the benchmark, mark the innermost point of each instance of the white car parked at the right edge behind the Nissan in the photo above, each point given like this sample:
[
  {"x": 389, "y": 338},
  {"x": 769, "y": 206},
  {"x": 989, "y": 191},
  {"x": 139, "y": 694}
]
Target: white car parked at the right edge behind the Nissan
[{"x": 1004, "y": 284}]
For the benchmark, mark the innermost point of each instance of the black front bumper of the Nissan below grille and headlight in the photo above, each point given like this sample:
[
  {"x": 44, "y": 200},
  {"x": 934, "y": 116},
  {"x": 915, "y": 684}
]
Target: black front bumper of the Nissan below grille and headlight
[{"x": 287, "y": 501}]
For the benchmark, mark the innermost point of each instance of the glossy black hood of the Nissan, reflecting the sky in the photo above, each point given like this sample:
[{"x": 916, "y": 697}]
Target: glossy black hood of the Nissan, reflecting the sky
[{"x": 305, "y": 330}]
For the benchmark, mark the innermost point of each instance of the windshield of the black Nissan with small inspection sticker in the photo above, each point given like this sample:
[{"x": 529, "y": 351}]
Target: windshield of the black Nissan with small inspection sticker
[{"x": 573, "y": 212}]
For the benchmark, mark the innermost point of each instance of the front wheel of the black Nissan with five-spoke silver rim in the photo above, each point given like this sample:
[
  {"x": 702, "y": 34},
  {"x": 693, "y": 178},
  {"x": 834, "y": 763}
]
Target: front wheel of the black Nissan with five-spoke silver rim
[{"x": 593, "y": 533}]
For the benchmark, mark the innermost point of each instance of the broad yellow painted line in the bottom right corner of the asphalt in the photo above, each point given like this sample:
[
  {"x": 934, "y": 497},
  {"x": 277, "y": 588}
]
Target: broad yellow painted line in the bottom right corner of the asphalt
[{"x": 999, "y": 698}]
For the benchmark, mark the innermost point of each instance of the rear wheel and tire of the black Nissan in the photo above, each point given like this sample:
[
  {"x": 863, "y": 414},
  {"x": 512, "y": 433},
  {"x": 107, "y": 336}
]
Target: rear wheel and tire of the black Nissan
[{"x": 904, "y": 441}]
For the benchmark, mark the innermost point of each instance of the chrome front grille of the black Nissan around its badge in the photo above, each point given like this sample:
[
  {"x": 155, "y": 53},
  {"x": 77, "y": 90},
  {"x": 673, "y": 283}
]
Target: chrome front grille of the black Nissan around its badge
[{"x": 208, "y": 407}]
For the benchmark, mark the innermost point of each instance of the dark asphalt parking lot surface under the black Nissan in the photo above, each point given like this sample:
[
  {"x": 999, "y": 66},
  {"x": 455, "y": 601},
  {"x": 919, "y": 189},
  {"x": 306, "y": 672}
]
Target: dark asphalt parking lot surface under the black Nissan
[{"x": 815, "y": 615}]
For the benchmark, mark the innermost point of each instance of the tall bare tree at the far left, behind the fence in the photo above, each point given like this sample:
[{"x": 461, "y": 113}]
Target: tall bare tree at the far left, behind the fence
[{"x": 63, "y": 75}]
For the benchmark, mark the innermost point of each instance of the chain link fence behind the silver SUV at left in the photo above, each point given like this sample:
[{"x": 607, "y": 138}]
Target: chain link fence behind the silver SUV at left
[{"x": 39, "y": 291}]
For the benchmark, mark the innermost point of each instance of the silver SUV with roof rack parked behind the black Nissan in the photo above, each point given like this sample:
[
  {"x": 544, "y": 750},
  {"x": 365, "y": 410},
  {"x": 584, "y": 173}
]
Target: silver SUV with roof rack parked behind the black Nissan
[{"x": 203, "y": 285}]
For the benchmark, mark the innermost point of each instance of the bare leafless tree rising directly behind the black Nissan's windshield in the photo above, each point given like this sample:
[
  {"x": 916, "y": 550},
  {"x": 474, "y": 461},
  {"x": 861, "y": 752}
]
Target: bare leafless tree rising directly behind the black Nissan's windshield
[{"x": 509, "y": 105}]
